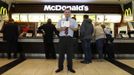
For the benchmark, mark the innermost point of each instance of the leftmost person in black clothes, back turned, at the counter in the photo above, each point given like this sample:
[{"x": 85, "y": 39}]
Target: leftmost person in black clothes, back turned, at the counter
[{"x": 10, "y": 35}]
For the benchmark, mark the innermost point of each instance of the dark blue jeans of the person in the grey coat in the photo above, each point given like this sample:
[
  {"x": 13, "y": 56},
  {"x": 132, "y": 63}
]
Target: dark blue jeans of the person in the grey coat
[{"x": 86, "y": 46}]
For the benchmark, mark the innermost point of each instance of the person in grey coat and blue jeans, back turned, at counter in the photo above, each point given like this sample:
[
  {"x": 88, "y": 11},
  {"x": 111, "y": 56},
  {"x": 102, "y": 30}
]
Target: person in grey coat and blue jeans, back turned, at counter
[{"x": 86, "y": 31}]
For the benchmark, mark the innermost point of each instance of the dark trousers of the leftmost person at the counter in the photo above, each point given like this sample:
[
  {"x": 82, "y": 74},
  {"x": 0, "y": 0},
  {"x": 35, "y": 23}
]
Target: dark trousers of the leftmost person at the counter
[{"x": 12, "y": 48}]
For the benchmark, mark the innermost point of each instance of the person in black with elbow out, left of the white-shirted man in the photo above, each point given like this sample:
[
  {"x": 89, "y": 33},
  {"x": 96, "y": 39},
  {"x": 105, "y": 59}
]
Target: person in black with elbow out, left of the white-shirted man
[{"x": 47, "y": 30}]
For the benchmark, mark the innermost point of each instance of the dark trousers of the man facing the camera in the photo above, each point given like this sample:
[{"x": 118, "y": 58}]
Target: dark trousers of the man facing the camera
[{"x": 66, "y": 46}]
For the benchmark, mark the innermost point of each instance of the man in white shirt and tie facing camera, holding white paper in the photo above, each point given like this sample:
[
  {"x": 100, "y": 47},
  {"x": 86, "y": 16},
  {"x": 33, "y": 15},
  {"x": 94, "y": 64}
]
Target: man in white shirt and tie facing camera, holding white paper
[{"x": 66, "y": 27}]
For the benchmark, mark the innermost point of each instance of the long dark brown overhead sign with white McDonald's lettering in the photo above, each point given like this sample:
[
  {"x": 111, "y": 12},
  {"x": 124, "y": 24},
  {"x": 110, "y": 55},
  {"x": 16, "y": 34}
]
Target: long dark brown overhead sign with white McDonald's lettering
[{"x": 60, "y": 7}]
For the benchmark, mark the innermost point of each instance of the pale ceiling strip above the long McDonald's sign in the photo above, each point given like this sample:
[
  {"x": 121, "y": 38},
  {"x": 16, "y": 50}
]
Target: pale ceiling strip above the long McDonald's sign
[{"x": 69, "y": 1}]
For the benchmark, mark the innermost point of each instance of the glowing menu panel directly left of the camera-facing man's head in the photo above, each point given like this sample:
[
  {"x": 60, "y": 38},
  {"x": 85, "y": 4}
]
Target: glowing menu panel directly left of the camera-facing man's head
[{"x": 53, "y": 17}]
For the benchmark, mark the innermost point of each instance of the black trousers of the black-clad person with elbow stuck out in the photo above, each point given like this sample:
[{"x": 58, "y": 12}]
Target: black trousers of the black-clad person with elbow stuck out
[{"x": 49, "y": 49}]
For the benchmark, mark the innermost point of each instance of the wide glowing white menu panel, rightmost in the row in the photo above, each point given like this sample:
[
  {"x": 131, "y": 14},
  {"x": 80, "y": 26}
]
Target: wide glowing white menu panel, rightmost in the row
[{"x": 112, "y": 18}]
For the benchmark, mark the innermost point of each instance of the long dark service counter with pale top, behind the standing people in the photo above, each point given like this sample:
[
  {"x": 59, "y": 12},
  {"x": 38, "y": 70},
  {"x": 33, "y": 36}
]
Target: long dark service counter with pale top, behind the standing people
[{"x": 35, "y": 45}]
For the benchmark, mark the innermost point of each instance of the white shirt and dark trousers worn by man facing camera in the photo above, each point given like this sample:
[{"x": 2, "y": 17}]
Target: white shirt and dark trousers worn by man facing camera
[{"x": 66, "y": 43}]
